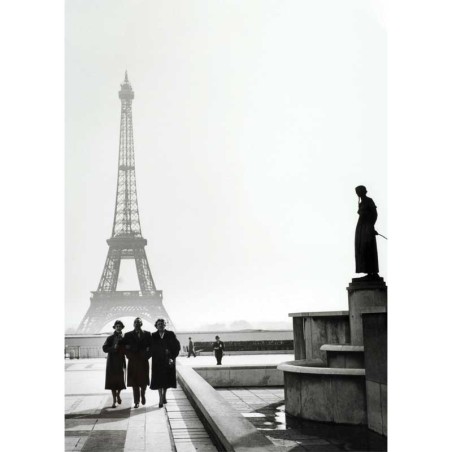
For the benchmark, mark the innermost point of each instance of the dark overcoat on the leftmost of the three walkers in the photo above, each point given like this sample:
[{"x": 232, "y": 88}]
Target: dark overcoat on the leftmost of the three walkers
[{"x": 116, "y": 362}]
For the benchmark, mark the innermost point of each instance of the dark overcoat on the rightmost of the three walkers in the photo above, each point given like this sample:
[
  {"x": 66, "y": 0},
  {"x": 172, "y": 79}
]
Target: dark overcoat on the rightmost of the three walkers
[{"x": 164, "y": 349}]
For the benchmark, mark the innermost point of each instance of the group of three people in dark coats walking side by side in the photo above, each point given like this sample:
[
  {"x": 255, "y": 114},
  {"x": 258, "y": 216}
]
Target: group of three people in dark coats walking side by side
[{"x": 139, "y": 346}]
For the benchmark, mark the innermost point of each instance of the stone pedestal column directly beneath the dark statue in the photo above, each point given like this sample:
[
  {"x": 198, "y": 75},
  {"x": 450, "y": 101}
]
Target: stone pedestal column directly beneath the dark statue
[{"x": 364, "y": 295}]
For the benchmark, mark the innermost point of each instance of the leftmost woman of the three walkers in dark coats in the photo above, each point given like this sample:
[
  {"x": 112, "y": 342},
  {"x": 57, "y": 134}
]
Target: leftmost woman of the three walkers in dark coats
[{"x": 116, "y": 363}]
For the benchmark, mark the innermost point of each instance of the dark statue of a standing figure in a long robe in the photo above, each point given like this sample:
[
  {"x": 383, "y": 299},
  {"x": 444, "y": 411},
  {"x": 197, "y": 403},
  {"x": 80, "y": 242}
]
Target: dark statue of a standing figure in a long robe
[{"x": 366, "y": 256}]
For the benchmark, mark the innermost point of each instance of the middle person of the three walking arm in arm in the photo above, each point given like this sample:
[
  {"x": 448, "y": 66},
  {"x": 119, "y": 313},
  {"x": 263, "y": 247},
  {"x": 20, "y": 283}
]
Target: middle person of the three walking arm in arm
[{"x": 138, "y": 351}]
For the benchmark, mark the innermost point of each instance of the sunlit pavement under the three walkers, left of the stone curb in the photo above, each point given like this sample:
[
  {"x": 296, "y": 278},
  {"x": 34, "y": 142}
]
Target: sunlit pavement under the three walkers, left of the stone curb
[{"x": 92, "y": 425}]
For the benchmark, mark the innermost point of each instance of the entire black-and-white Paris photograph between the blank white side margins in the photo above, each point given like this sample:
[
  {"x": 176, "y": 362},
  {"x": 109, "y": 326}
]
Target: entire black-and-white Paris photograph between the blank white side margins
[{"x": 233, "y": 156}]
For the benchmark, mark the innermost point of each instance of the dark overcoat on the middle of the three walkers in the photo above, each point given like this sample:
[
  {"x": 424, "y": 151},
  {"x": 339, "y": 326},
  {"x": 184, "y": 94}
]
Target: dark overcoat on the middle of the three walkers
[{"x": 138, "y": 352}]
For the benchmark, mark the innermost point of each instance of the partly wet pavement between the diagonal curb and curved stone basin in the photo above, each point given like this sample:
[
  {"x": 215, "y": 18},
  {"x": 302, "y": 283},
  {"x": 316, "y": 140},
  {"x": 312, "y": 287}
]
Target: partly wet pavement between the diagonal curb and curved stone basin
[{"x": 264, "y": 407}]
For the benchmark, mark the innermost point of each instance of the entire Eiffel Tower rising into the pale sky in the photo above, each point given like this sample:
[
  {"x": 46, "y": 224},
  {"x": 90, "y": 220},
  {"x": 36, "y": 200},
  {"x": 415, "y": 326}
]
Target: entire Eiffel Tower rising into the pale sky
[{"x": 126, "y": 242}]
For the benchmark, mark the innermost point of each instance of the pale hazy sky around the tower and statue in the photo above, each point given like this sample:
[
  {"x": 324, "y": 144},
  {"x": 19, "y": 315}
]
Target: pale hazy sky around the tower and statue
[{"x": 253, "y": 123}]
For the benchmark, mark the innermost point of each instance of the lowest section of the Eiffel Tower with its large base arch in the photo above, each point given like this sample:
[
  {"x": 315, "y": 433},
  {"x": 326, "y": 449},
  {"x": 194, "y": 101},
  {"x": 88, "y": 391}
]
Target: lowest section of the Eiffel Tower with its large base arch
[{"x": 107, "y": 307}]
